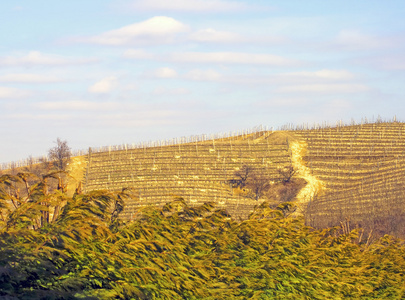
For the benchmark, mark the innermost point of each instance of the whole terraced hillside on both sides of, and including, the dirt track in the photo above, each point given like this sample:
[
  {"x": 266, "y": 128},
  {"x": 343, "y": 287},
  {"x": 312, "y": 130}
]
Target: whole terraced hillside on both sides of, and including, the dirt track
[{"x": 354, "y": 173}]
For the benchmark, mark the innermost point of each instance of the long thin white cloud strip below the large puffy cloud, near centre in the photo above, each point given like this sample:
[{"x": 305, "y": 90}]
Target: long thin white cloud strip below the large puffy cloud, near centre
[{"x": 232, "y": 58}]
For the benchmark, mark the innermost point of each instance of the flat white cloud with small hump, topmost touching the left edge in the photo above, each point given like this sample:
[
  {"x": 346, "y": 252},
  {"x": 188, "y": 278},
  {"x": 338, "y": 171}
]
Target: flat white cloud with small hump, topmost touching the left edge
[{"x": 38, "y": 58}]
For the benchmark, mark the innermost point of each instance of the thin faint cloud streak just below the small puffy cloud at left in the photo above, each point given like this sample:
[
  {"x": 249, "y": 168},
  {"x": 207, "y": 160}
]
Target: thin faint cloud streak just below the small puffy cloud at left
[{"x": 75, "y": 105}]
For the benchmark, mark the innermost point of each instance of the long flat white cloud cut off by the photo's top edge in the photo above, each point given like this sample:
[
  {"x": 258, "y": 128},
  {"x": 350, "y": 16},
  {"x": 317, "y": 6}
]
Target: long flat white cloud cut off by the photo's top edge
[{"x": 190, "y": 5}]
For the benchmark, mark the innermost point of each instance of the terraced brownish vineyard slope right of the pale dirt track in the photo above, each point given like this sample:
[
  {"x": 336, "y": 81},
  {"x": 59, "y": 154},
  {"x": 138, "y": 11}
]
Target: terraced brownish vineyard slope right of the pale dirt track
[{"x": 363, "y": 171}]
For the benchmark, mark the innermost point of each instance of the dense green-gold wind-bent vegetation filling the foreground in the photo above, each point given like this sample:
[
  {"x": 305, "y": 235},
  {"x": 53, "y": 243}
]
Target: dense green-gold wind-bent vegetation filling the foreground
[{"x": 54, "y": 246}]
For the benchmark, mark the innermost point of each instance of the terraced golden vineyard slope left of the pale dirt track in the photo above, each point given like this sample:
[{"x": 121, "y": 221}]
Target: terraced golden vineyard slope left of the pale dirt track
[{"x": 198, "y": 171}]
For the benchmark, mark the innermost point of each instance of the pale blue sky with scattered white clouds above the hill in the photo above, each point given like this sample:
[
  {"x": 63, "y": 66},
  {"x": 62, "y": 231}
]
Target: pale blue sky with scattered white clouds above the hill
[{"x": 108, "y": 72}]
